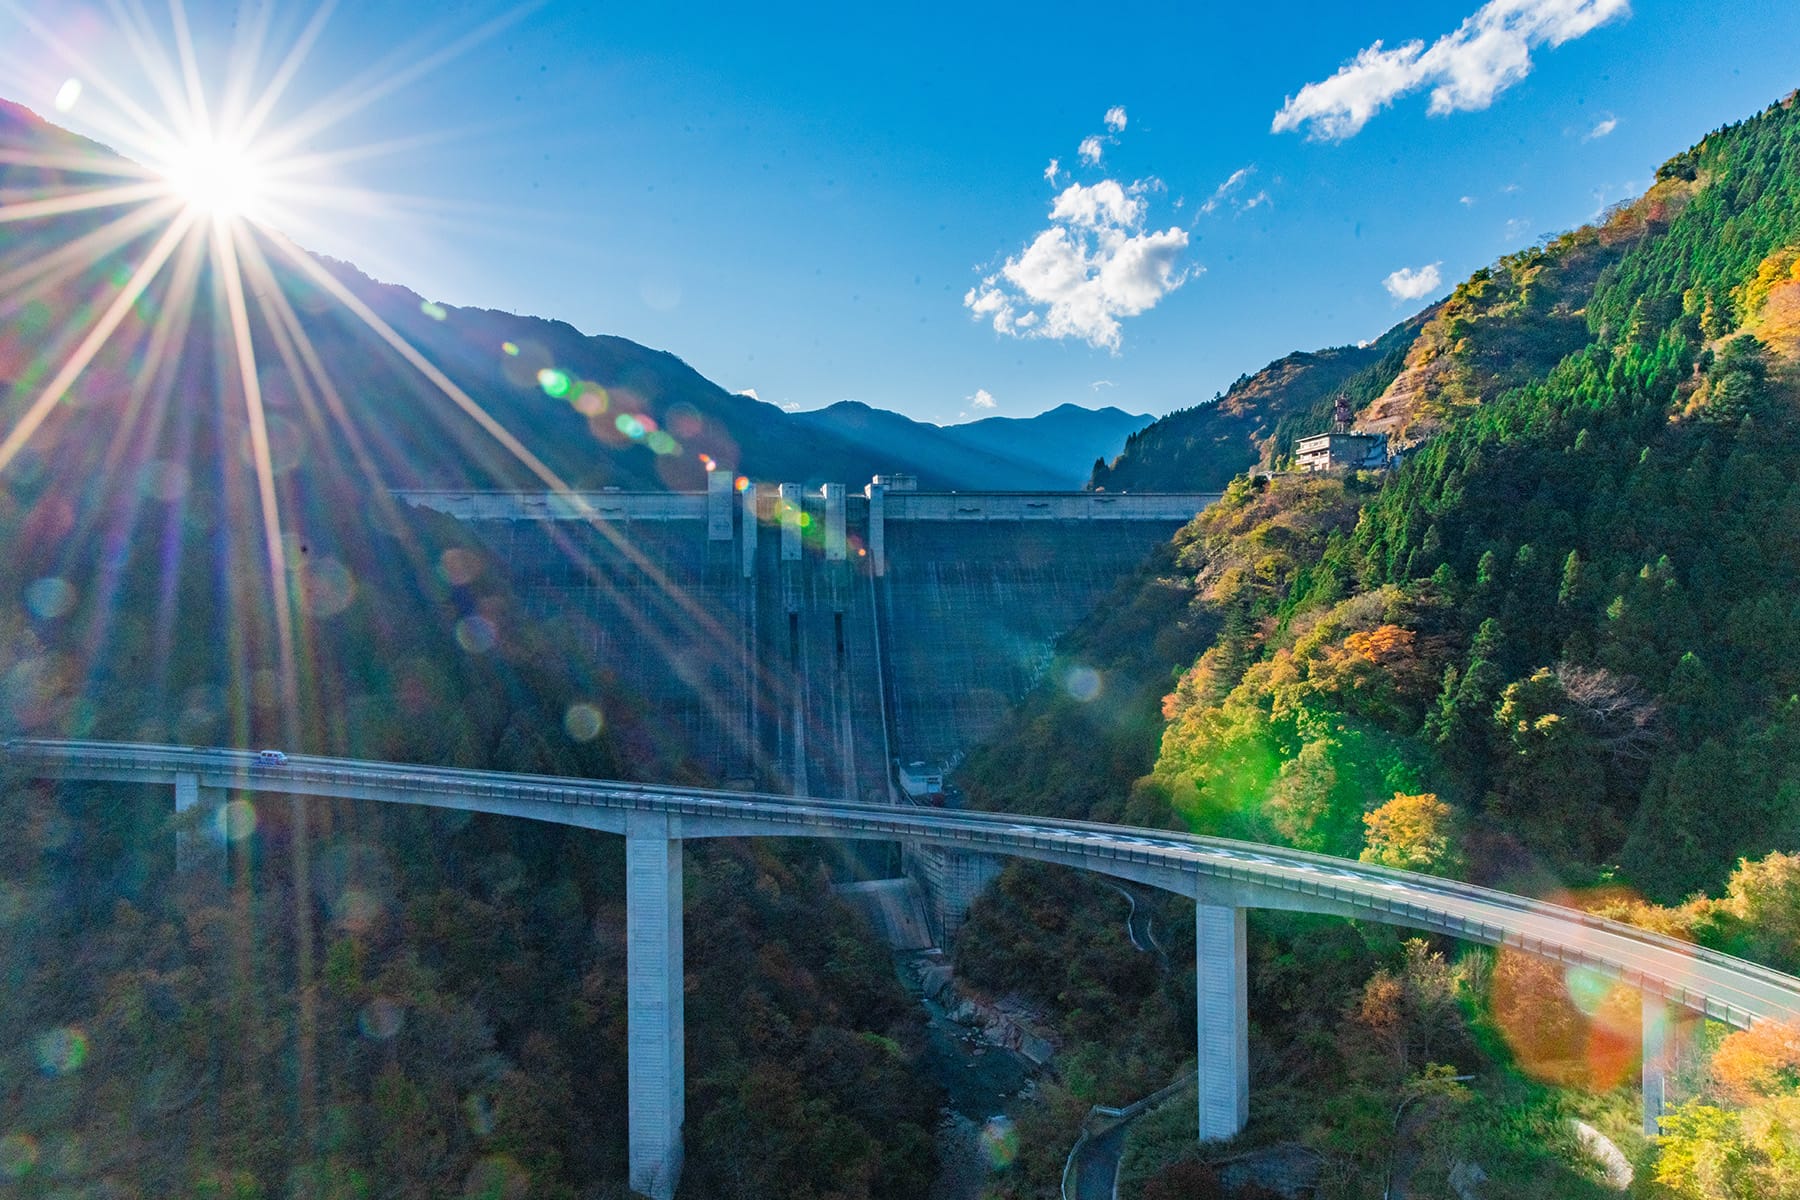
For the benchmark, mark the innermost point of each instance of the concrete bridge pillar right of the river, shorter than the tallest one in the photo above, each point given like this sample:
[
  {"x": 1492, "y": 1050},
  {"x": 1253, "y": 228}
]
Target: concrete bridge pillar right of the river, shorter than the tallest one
[{"x": 1223, "y": 1012}]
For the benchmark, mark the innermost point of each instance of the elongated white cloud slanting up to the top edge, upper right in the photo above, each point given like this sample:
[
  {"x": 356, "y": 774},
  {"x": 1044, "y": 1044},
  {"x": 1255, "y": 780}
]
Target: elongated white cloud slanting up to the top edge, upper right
[{"x": 1464, "y": 69}]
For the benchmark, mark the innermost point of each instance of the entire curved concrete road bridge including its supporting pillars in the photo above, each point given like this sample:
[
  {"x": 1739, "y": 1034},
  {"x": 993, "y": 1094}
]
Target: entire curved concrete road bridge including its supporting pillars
[{"x": 1221, "y": 877}]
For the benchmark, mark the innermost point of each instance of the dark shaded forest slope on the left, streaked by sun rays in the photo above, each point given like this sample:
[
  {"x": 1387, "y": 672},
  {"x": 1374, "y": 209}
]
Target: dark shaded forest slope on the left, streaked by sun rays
[{"x": 366, "y": 1001}]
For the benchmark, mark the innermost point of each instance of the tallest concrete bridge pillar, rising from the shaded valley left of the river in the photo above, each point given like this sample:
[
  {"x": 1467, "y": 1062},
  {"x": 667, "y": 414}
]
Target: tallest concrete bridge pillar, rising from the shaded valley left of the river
[{"x": 656, "y": 1057}]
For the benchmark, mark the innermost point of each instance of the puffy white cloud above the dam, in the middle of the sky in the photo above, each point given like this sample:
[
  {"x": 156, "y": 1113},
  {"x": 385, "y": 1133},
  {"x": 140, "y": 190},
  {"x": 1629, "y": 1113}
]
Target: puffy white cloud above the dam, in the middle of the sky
[{"x": 1093, "y": 265}]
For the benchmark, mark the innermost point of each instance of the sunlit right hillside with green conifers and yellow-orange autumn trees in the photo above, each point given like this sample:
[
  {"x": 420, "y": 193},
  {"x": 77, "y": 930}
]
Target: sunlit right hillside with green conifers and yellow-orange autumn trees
[{"x": 1556, "y": 652}]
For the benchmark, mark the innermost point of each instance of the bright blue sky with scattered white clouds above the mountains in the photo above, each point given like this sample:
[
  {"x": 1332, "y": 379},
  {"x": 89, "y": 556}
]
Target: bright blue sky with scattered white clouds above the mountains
[{"x": 838, "y": 204}]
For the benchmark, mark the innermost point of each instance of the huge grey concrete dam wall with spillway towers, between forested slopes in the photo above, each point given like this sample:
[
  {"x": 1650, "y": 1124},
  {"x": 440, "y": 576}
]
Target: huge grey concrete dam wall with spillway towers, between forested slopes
[{"x": 813, "y": 641}]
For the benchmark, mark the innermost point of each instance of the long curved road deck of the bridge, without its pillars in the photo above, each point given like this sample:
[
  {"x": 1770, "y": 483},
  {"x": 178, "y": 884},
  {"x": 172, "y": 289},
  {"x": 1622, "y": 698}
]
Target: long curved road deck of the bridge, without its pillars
[{"x": 1210, "y": 870}]
